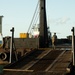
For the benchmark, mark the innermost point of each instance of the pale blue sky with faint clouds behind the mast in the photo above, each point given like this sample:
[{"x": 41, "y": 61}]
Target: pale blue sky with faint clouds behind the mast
[{"x": 19, "y": 13}]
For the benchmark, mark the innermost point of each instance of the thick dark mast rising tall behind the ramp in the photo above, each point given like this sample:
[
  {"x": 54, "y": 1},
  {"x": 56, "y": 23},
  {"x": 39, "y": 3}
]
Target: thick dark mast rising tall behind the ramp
[{"x": 43, "y": 41}]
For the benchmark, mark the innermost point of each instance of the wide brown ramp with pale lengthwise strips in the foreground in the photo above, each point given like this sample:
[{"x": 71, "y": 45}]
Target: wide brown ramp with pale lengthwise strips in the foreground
[{"x": 42, "y": 62}]
